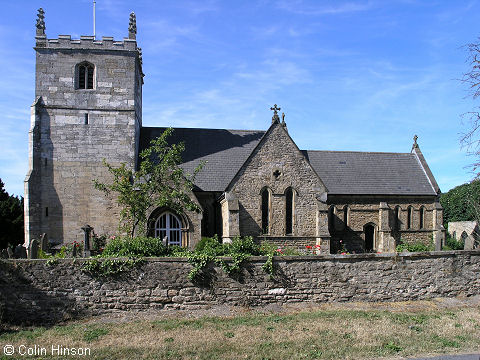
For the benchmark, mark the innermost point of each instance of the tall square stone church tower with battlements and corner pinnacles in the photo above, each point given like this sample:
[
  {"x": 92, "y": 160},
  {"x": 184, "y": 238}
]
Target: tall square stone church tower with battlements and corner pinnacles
[{"x": 88, "y": 107}]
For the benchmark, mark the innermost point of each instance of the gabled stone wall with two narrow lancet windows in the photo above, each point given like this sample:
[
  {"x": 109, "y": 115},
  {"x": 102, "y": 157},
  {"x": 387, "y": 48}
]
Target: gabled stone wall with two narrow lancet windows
[{"x": 277, "y": 164}]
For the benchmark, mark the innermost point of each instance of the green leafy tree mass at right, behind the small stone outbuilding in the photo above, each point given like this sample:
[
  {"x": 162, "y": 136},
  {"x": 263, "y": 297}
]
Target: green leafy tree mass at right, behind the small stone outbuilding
[{"x": 461, "y": 203}]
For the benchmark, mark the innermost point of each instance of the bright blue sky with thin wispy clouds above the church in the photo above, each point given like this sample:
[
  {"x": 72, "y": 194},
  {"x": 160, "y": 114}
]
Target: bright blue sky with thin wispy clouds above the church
[{"x": 350, "y": 75}]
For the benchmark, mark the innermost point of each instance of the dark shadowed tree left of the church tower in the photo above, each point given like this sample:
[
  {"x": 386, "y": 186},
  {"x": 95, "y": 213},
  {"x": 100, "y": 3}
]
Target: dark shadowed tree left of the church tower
[{"x": 11, "y": 219}]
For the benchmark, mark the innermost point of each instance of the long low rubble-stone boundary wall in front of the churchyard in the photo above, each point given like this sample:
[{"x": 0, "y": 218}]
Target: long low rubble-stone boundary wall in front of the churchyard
[{"x": 35, "y": 291}]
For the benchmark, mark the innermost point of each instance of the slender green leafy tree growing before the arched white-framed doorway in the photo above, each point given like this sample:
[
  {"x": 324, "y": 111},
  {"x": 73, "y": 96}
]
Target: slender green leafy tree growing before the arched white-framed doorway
[{"x": 159, "y": 182}]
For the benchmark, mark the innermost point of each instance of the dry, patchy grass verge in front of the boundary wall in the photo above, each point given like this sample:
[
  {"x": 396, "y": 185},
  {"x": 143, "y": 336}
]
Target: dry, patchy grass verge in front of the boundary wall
[{"x": 303, "y": 334}]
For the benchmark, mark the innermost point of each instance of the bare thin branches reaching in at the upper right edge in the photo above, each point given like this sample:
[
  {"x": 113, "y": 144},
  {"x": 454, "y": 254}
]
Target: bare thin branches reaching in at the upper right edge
[{"x": 470, "y": 139}]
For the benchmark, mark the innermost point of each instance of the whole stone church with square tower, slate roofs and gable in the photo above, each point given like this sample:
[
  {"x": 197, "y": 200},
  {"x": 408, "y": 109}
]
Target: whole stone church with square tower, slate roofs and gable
[{"x": 88, "y": 107}]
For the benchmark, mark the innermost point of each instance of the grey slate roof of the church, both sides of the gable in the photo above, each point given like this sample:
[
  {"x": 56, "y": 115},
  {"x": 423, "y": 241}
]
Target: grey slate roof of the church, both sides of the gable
[{"x": 343, "y": 172}]
